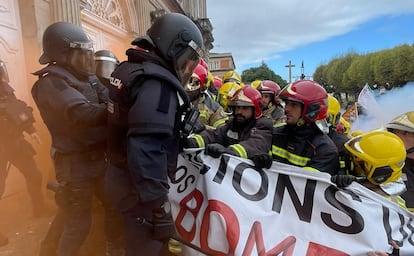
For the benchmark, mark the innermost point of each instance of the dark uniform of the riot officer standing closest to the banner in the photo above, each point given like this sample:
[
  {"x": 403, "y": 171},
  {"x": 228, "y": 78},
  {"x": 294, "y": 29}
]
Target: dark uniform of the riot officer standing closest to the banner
[{"x": 144, "y": 116}]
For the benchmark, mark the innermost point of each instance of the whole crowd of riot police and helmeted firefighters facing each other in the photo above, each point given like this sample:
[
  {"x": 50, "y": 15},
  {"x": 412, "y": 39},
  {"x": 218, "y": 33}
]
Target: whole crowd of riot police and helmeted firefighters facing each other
[{"x": 117, "y": 128}]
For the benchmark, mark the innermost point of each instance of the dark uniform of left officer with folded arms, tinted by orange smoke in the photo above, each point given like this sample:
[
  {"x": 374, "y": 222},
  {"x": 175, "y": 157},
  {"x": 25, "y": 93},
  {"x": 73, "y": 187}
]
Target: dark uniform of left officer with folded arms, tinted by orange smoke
[{"x": 74, "y": 111}]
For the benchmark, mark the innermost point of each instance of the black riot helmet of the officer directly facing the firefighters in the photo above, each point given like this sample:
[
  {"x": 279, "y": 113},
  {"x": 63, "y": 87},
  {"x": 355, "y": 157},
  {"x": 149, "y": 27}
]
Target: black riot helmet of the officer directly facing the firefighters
[{"x": 178, "y": 40}]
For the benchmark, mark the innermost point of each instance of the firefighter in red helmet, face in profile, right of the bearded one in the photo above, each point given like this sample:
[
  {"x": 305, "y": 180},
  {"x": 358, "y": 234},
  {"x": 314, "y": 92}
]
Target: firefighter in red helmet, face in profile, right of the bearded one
[{"x": 300, "y": 141}]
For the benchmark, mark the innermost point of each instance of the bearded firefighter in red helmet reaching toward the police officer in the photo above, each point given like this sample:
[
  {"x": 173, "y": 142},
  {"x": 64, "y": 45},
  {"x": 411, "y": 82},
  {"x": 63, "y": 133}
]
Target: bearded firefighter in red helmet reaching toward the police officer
[{"x": 246, "y": 134}]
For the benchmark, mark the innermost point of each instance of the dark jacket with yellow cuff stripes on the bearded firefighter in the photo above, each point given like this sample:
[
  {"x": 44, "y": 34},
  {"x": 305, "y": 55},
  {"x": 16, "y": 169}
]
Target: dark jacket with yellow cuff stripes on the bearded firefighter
[{"x": 251, "y": 139}]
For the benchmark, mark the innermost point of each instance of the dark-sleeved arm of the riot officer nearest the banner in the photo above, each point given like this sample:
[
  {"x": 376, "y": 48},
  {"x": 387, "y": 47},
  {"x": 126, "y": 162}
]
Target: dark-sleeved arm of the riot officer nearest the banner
[{"x": 151, "y": 139}]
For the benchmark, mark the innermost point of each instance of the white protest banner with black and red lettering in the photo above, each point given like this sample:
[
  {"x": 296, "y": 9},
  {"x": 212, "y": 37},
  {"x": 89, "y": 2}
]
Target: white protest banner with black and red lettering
[{"x": 226, "y": 206}]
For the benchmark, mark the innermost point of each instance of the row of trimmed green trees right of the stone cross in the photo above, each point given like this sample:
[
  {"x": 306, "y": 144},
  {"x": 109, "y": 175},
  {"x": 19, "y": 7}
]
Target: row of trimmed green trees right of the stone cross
[{"x": 350, "y": 72}]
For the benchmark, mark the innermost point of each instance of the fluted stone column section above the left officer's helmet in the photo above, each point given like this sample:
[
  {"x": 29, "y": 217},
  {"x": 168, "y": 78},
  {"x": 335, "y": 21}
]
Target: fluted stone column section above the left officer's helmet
[{"x": 65, "y": 10}]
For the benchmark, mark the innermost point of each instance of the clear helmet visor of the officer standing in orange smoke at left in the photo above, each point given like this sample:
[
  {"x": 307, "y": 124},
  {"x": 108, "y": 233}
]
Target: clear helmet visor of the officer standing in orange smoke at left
[{"x": 82, "y": 58}]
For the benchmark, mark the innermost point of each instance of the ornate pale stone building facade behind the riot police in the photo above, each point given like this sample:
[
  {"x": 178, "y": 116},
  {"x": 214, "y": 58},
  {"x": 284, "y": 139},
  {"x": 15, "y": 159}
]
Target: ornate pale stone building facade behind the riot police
[{"x": 111, "y": 24}]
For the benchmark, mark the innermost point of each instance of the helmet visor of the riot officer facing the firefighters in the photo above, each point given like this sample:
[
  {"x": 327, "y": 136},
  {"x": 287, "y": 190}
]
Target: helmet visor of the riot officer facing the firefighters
[{"x": 187, "y": 61}]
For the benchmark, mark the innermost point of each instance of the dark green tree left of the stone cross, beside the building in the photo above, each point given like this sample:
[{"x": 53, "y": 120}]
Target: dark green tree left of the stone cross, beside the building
[{"x": 263, "y": 72}]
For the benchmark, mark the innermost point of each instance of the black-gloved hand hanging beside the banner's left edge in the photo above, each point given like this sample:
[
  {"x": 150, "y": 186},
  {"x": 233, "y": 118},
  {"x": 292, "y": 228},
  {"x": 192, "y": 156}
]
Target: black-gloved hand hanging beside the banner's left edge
[{"x": 162, "y": 223}]
